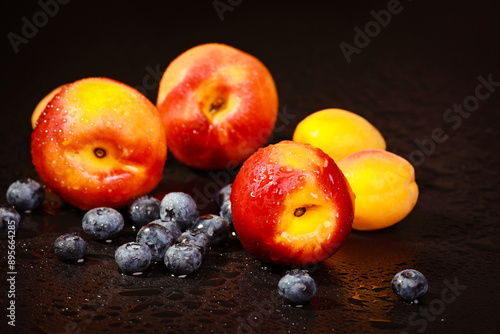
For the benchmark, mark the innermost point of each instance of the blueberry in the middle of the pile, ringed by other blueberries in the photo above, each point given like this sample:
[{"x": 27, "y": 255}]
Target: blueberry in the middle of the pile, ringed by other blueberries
[{"x": 157, "y": 238}]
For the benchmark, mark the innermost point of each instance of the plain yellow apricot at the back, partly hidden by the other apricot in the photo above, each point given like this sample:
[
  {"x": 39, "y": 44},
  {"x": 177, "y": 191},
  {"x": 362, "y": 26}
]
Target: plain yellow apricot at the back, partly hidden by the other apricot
[{"x": 338, "y": 133}]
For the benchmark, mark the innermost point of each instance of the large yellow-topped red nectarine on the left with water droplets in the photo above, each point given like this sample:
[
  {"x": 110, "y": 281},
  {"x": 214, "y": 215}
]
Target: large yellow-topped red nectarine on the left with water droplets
[{"x": 98, "y": 143}]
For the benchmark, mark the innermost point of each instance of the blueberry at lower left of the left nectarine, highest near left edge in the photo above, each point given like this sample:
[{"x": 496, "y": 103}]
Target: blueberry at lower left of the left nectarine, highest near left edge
[{"x": 25, "y": 194}]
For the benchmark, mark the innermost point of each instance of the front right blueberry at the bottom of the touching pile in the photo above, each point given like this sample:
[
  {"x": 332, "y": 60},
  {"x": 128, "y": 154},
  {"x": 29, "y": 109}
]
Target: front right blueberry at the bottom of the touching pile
[{"x": 183, "y": 259}]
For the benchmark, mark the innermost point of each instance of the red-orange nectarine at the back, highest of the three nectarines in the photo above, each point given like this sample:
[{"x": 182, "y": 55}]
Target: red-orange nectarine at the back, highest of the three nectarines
[{"x": 218, "y": 105}]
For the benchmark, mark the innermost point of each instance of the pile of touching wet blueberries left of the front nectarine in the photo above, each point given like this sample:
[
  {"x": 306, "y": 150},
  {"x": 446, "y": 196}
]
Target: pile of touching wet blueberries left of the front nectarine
[{"x": 178, "y": 237}]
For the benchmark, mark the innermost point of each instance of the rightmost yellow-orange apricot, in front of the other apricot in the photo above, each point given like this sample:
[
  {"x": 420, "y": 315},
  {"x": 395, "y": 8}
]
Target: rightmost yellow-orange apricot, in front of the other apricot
[{"x": 385, "y": 188}]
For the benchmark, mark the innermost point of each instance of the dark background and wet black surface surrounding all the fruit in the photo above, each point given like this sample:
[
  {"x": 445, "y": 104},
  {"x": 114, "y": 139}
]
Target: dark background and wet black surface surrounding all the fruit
[{"x": 426, "y": 60}]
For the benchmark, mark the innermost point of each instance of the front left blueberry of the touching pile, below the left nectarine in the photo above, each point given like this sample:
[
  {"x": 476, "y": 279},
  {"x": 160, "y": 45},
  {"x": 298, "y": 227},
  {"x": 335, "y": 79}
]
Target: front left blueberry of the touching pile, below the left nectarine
[{"x": 133, "y": 257}]
